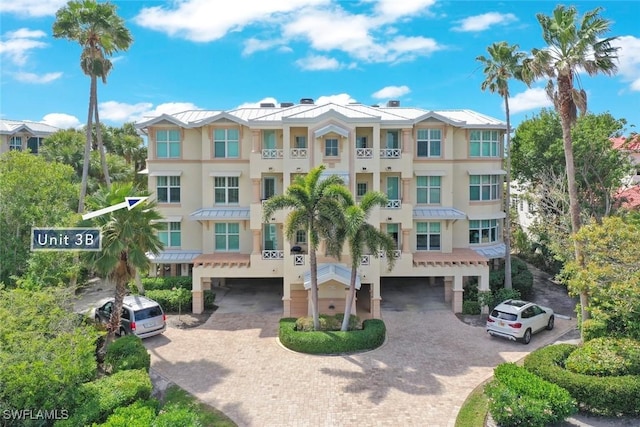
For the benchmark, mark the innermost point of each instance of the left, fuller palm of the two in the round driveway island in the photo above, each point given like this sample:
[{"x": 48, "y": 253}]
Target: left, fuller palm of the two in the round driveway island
[{"x": 316, "y": 208}]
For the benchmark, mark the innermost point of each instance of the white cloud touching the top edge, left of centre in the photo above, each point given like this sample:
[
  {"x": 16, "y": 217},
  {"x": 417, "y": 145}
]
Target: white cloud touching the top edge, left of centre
[{"x": 204, "y": 20}]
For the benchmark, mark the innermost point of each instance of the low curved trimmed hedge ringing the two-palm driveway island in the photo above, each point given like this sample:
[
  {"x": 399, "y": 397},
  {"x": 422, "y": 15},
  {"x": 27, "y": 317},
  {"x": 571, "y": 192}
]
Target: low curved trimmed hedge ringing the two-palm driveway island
[{"x": 371, "y": 336}]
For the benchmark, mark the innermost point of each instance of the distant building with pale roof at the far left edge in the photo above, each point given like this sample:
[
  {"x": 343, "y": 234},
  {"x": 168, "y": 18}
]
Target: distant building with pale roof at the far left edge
[{"x": 23, "y": 135}]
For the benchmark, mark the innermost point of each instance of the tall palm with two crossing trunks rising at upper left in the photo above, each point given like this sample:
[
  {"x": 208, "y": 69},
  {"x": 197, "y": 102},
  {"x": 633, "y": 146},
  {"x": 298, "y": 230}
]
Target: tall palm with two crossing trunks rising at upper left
[{"x": 101, "y": 33}]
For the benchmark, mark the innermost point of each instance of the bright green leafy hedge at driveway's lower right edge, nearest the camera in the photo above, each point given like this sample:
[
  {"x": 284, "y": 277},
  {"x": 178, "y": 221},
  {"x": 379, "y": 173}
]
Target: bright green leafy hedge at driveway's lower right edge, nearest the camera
[{"x": 520, "y": 398}]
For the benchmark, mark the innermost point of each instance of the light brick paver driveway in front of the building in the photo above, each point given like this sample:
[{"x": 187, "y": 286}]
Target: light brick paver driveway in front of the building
[{"x": 420, "y": 377}]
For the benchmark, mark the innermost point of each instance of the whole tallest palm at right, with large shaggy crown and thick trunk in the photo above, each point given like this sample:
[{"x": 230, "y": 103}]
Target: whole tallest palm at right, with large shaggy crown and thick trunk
[{"x": 571, "y": 46}]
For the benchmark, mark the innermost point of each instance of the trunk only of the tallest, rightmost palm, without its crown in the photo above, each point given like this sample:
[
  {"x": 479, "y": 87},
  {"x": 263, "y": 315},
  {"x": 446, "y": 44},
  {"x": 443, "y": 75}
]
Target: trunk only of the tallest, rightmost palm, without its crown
[{"x": 567, "y": 118}]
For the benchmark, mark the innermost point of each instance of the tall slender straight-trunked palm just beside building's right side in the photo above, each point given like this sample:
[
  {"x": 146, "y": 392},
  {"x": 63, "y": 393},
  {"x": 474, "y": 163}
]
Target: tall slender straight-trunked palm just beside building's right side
[{"x": 504, "y": 63}]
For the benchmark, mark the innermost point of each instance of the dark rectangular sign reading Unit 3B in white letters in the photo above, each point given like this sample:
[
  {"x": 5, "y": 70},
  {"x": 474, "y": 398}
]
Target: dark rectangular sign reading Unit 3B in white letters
[{"x": 66, "y": 239}]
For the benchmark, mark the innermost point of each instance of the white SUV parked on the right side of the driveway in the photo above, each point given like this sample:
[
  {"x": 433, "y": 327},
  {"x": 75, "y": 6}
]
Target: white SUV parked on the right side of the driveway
[{"x": 518, "y": 320}]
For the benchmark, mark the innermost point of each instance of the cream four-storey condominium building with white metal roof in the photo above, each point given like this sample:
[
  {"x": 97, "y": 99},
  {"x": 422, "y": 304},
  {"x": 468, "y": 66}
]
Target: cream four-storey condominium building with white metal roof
[{"x": 441, "y": 170}]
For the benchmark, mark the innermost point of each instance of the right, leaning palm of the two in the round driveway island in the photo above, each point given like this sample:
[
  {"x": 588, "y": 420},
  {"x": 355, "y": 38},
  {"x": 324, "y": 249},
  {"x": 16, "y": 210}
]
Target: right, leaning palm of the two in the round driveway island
[{"x": 363, "y": 237}]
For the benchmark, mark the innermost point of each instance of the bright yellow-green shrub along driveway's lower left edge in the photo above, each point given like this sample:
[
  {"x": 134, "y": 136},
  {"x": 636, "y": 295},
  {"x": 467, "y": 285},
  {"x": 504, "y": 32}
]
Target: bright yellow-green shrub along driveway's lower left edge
[{"x": 99, "y": 398}]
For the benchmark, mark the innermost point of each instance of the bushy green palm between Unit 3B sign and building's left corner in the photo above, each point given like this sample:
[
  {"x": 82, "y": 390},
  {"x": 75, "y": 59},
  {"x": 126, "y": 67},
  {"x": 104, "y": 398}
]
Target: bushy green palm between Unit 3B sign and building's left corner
[{"x": 127, "y": 237}]
